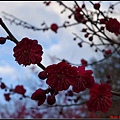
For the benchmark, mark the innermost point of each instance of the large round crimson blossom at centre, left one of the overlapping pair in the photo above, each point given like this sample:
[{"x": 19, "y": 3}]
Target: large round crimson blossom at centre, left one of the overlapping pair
[{"x": 59, "y": 76}]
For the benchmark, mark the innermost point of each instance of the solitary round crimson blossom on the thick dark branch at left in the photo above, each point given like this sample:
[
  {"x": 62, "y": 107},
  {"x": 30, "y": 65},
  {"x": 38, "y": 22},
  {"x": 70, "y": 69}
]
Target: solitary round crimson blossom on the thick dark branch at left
[{"x": 28, "y": 51}]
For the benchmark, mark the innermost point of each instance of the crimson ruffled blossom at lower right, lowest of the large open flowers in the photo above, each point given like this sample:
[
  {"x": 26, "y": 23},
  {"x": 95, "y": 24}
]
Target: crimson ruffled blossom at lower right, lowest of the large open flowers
[{"x": 100, "y": 99}]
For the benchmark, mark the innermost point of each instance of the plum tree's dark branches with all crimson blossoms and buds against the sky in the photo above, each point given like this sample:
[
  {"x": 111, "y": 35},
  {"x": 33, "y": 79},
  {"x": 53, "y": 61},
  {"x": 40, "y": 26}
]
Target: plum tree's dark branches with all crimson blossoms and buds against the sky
[{"x": 67, "y": 76}]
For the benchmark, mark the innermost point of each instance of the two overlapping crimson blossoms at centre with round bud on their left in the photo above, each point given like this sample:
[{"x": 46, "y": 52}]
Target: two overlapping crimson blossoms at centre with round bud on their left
[{"x": 62, "y": 75}]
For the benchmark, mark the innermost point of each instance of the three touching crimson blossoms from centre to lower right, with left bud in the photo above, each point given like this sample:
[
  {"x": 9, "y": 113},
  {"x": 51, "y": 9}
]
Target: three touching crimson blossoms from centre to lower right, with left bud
[{"x": 62, "y": 75}]
